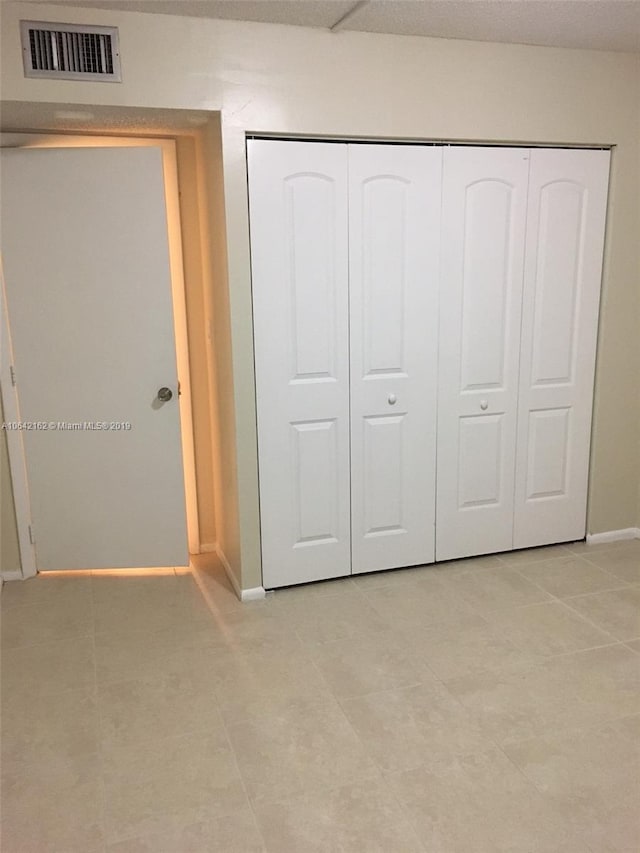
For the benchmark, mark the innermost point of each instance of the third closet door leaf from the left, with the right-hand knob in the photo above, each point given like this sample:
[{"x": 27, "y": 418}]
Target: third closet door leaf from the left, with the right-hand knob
[{"x": 483, "y": 231}]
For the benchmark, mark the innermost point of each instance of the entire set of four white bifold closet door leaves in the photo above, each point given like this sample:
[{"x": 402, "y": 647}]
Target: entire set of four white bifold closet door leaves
[{"x": 388, "y": 279}]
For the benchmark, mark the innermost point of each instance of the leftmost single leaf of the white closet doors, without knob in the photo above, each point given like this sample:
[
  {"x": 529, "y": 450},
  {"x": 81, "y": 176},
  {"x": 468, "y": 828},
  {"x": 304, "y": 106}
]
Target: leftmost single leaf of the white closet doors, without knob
[{"x": 298, "y": 206}]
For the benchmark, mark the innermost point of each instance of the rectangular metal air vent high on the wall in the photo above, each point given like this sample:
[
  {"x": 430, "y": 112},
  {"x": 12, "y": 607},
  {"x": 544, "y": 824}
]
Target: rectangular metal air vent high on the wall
[{"x": 70, "y": 51}]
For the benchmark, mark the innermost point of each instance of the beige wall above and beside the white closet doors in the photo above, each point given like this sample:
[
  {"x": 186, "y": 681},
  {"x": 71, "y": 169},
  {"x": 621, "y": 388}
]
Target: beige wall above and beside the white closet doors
[{"x": 265, "y": 78}]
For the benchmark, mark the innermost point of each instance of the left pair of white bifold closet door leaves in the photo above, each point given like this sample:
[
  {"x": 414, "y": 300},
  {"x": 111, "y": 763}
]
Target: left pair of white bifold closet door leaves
[{"x": 346, "y": 463}]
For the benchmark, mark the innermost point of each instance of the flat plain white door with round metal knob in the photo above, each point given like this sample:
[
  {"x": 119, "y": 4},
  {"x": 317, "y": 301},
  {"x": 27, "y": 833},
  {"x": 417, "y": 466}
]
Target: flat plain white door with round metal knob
[{"x": 84, "y": 245}]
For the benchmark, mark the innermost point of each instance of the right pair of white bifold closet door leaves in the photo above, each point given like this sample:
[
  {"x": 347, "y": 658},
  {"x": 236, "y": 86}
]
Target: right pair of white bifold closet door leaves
[{"x": 523, "y": 236}]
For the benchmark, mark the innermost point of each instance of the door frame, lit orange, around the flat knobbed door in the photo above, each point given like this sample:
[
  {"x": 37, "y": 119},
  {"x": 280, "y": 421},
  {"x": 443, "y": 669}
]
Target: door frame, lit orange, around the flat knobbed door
[{"x": 17, "y": 456}]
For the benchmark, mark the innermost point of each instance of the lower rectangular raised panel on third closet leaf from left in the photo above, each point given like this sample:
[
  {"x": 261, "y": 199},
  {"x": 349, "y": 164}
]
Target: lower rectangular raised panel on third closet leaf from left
[{"x": 479, "y": 474}]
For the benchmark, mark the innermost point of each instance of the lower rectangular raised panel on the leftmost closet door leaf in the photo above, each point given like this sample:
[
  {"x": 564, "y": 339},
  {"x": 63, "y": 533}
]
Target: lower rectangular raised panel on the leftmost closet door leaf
[{"x": 315, "y": 460}]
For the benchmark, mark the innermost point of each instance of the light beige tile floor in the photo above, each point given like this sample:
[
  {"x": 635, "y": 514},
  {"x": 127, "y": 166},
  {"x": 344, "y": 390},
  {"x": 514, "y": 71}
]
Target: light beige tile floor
[{"x": 479, "y": 706}]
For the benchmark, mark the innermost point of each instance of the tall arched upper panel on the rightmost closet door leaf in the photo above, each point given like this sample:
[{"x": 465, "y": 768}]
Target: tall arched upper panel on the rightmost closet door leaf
[{"x": 560, "y": 233}]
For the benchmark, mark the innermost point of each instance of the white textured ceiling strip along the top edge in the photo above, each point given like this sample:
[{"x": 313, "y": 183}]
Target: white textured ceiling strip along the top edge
[{"x": 590, "y": 24}]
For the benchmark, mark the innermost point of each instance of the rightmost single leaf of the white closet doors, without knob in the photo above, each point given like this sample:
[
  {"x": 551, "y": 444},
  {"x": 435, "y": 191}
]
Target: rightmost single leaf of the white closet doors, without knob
[{"x": 563, "y": 269}]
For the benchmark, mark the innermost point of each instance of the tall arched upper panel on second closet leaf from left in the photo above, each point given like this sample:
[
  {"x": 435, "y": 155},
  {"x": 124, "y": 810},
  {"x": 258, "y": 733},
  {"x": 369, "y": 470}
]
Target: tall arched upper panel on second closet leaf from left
[{"x": 384, "y": 245}]
